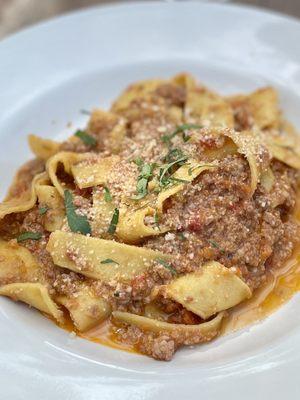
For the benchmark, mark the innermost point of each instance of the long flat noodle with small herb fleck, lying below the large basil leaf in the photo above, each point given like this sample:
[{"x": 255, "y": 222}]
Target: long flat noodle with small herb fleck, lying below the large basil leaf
[{"x": 84, "y": 254}]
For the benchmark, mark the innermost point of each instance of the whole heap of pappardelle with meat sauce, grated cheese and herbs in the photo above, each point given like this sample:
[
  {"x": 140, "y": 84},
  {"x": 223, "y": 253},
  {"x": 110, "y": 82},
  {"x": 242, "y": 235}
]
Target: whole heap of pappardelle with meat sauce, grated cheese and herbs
[{"x": 161, "y": 222}]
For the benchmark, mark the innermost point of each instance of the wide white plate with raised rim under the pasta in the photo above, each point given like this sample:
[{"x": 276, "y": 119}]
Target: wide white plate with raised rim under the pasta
[{"x": 47, "y": 74}]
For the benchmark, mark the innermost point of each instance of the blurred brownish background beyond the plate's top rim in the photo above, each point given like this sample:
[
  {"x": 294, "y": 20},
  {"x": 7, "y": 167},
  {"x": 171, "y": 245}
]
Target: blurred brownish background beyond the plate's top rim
[{"x": 16, "y": 14}]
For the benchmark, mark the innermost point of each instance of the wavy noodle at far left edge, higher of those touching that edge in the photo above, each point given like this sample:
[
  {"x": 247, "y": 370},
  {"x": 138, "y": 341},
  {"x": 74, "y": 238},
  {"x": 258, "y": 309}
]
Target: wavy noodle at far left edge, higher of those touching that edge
[{"x": 25, "y": 202}]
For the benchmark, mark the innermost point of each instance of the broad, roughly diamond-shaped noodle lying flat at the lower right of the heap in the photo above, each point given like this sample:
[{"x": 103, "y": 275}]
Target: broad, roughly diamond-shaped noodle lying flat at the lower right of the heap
[{"x": 206, "y": 292}]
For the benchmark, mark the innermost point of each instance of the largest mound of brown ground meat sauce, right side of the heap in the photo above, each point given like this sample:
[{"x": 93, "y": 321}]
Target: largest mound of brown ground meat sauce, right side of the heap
[{"x": 221, "y": 222}]
